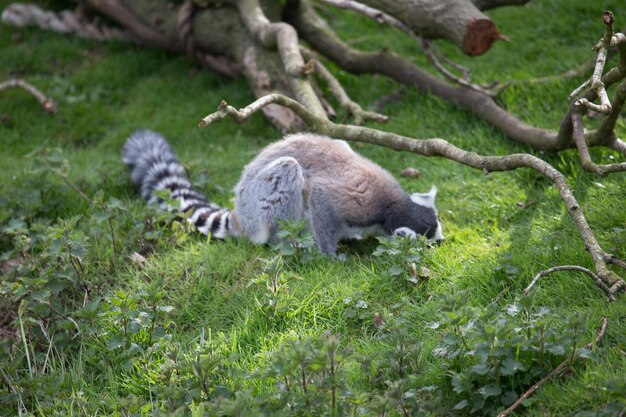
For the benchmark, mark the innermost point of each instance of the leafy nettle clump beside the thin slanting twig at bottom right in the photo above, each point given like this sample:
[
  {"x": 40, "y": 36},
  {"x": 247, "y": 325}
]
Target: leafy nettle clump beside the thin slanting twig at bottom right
[{"x": 494, "y": 354}]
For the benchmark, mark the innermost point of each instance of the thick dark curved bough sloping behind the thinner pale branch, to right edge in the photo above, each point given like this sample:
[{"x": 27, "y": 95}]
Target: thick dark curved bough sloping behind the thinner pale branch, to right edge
[{"x": 318, "y": 33}]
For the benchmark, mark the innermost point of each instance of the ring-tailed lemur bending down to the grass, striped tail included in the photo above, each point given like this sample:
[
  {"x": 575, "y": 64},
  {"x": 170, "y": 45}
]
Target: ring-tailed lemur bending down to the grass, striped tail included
[{"x": 341, "y": 194}]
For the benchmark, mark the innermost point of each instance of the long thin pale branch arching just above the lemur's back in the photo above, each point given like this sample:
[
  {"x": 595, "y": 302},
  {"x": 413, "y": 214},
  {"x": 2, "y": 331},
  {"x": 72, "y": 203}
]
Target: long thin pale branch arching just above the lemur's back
[{"x": 437, "y": 147}]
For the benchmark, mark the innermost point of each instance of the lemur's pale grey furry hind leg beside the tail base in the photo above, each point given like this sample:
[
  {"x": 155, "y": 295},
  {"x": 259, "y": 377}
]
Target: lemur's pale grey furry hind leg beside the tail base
[{"x": 274, "y": 193}]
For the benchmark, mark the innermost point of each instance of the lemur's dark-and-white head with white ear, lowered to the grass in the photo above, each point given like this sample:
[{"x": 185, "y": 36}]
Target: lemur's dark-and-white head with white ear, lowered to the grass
[{"x": 420, "y": 218}]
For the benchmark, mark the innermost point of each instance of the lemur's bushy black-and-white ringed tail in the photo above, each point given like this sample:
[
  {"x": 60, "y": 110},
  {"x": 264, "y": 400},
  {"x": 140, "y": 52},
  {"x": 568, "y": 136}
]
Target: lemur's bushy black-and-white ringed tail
[{"x": 154, "y": 167}]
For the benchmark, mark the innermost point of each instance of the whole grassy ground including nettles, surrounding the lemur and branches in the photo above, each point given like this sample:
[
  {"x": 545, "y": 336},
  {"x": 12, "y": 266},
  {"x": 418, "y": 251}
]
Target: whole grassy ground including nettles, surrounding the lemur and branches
[{"x": 202, "y": 327}]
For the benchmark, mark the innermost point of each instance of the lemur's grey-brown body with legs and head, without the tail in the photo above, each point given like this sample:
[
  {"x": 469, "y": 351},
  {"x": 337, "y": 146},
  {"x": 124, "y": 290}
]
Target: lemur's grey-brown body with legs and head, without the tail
[{"x": 342, "y": 194}]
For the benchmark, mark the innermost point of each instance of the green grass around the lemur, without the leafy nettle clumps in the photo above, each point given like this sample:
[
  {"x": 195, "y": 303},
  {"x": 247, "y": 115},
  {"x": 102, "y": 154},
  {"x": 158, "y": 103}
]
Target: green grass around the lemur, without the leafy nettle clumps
[{"x": 107, "y": 90}]
